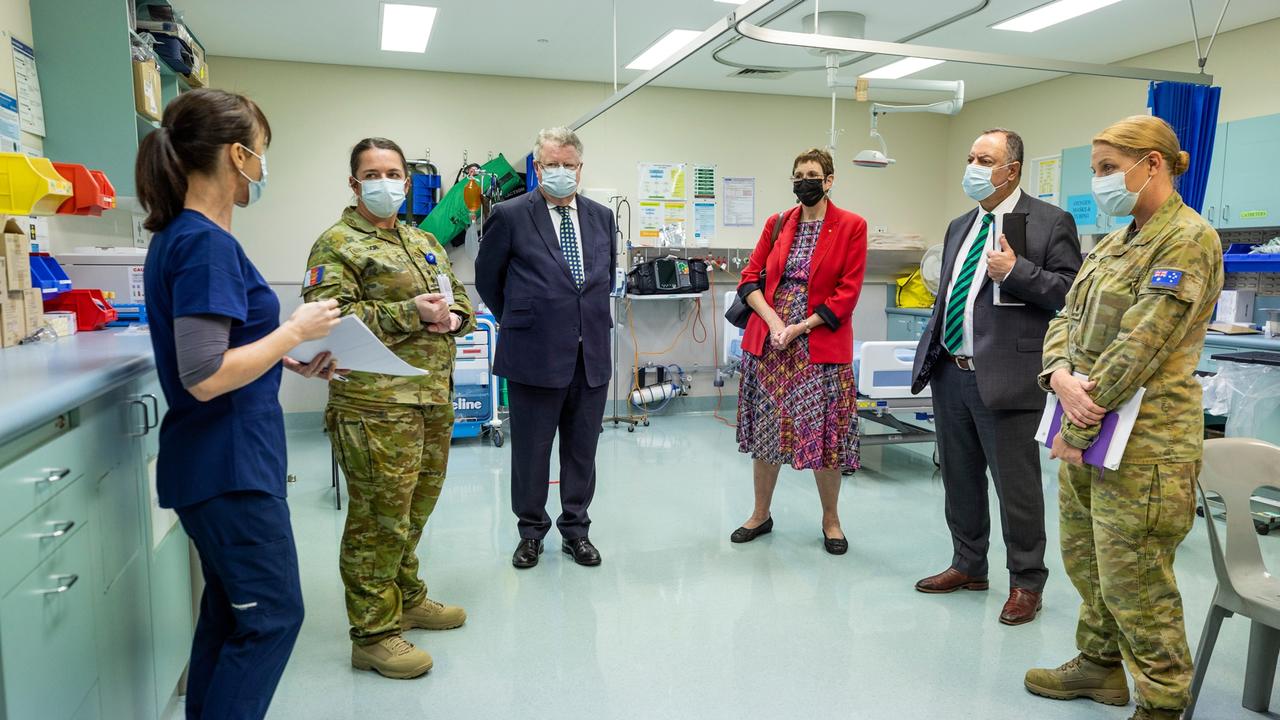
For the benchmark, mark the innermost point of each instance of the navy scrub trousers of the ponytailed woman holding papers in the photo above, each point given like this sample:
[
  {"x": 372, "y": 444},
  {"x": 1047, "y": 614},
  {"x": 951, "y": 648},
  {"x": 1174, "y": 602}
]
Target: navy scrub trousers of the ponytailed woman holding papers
[{"x": 252, "y": 610}]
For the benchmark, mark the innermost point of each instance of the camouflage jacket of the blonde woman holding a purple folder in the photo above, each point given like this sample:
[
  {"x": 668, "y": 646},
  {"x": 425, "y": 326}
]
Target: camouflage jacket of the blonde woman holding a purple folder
[{"x": 1136, "y": 318}]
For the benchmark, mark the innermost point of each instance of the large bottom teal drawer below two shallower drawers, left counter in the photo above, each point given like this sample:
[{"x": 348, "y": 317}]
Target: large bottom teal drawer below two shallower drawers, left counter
[{"x": 48, "y": 651}]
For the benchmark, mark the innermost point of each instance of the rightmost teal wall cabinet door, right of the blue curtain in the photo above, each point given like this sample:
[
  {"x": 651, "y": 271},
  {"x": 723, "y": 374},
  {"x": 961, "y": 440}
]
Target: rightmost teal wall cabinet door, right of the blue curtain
[{"x": 1250, "y": 198}]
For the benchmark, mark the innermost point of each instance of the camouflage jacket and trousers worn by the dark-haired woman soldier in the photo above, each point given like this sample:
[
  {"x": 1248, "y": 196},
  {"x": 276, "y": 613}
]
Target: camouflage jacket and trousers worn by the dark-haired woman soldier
[{"x": 391, "y": 434}]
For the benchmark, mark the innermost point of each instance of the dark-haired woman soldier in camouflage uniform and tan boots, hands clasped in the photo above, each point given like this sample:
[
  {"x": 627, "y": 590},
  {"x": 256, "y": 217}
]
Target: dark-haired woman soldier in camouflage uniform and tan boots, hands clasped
[{"x": 391, "y": 434}]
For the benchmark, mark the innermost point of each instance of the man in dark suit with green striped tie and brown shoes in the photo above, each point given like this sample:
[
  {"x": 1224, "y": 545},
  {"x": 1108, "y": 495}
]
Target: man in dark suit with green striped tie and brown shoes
[{"x": 981, "y": 356}]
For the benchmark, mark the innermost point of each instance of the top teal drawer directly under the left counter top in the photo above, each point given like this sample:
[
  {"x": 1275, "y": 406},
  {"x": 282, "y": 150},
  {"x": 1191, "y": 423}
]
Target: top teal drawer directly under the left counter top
[{"x": 39, "y": 466}]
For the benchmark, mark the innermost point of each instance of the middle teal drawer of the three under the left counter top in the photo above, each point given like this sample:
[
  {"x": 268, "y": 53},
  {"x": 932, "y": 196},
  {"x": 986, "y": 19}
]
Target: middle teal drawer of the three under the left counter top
[{"x": 38, "y": 536}]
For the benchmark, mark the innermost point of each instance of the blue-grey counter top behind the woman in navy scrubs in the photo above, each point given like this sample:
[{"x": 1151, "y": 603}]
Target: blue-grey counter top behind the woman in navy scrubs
[{"x": 38, "y": 382}]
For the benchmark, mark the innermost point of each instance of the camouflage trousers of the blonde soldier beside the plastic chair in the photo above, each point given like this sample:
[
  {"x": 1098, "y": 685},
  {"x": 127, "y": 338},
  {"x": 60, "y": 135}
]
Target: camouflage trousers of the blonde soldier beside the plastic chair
[{"x": 1121, "y": 531}]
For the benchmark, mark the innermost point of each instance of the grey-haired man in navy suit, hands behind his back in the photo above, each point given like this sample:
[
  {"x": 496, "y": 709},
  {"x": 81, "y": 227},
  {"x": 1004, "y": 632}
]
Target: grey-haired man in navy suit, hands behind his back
[{"x": 546, "y": 270}]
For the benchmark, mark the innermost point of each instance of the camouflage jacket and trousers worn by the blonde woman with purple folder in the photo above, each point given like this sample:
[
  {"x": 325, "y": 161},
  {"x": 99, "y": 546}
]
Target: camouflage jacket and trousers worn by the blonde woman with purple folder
[{"x": 1136, "y": 318}]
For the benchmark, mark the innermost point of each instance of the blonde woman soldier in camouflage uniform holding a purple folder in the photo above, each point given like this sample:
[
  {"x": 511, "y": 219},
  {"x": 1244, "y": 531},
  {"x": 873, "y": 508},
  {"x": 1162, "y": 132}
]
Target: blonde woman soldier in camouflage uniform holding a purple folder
[{"x": 1135, "y": 318}]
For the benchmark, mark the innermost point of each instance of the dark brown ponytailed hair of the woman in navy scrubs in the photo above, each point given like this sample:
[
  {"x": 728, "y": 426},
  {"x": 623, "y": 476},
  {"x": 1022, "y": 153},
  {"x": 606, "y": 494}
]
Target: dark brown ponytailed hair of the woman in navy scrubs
[{"x": 190, "y": 142}]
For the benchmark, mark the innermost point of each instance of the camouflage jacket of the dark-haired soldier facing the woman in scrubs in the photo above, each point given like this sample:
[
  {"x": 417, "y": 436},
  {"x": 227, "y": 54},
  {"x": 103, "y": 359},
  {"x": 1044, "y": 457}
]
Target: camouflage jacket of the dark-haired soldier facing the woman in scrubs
[{"x": 376, "y": 275}]
